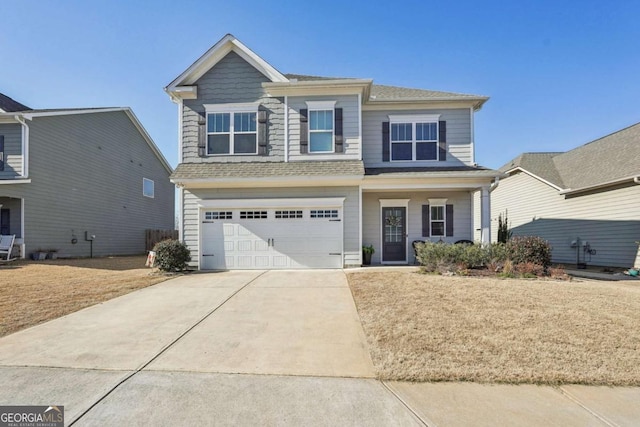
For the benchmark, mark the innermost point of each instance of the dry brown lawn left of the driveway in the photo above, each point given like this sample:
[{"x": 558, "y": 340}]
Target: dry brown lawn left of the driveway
[{"x": 32, "y": 292}]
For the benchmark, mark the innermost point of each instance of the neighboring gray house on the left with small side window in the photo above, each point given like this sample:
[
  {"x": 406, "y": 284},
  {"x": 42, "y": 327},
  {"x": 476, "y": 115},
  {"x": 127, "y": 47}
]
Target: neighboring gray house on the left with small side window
[{"x": 66, "y": 174}]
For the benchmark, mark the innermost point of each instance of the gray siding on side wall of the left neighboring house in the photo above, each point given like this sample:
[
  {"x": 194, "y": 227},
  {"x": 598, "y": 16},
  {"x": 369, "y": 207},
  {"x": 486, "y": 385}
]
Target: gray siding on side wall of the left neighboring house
[{"x": 86, "y": 174}]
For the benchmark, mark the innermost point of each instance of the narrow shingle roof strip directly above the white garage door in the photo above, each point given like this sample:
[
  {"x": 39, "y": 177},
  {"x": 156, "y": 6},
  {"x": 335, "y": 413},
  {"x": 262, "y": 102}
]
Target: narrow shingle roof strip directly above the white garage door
[{"x": 268, "y": 169}]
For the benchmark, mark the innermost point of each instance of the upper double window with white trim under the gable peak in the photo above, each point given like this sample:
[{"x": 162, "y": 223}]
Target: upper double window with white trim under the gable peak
[{"x": 232, "y": 129}]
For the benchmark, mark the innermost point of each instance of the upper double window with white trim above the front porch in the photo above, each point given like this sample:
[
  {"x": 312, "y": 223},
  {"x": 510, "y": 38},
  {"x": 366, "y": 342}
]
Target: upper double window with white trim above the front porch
[{"x": 414, "y": 137}]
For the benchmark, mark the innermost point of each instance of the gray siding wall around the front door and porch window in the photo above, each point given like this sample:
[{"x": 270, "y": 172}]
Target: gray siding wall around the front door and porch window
[{"x": 371, "y": 216}]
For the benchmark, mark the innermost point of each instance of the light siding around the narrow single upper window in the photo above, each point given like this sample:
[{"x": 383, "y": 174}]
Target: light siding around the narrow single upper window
[{"x": 351, "y": 128}]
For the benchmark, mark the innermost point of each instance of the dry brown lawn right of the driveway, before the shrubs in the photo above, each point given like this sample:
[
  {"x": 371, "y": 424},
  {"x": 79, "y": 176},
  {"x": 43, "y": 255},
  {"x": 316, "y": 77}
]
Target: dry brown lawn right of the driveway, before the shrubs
[{"x": 432, "y": 328}]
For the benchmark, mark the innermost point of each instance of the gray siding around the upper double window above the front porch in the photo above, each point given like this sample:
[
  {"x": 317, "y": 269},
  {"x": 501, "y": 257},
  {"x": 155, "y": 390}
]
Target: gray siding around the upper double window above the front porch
[{"x": 459, "y": 147}]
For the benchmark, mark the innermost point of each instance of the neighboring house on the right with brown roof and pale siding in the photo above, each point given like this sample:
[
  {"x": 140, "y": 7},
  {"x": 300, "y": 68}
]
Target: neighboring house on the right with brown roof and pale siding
[{"x": 590, "y": 193}]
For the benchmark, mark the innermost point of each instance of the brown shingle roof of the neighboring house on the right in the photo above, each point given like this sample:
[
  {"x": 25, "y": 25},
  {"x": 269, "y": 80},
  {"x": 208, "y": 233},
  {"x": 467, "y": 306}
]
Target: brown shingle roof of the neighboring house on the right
[{"x": 610, "y": 158}]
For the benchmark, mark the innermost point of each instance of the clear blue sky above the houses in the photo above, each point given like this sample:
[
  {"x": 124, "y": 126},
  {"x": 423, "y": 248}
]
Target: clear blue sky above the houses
[{"x": 559, "y": 74}]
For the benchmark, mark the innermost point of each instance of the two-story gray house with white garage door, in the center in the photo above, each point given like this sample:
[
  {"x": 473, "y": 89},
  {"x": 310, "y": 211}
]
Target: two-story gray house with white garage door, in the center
[{"x": 285, "y": 171}]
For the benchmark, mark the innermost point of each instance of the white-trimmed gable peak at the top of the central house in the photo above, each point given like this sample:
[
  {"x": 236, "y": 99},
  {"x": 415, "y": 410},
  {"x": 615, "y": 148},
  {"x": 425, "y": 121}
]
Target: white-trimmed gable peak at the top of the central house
[{"x": 228, "y": 43}]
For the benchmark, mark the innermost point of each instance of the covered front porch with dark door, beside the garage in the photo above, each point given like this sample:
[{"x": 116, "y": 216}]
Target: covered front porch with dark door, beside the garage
[{"x": 401, "y": 207}]
